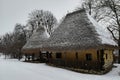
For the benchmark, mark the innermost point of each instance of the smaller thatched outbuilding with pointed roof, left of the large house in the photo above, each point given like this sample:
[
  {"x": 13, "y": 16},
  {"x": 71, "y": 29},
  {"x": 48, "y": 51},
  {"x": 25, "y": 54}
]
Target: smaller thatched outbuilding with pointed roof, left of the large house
[{"x": 31, "y": 48}]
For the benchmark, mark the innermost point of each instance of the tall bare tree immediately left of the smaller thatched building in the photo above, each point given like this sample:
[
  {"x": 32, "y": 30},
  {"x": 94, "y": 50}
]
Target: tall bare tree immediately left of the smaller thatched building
[{"x": 19, "y": 37}]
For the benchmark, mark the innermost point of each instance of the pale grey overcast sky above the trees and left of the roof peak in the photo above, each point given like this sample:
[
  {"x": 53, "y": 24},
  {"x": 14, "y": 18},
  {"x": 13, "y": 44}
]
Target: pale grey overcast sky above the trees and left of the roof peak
[{"x": 16, "y": 11}]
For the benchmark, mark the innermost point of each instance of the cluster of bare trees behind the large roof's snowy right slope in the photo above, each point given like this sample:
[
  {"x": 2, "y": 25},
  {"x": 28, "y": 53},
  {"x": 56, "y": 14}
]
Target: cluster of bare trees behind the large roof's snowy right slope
[{"x": 107, "y": 11}]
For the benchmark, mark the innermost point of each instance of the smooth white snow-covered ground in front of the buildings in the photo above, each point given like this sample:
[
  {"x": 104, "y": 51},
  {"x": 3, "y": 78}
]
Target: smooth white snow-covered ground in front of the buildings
[{"x": 11, "y": 69}]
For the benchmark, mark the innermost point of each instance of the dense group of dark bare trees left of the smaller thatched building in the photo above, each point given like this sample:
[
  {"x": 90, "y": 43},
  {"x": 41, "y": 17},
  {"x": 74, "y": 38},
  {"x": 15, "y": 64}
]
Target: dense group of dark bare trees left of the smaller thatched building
[{"x": 11, "y": 43}]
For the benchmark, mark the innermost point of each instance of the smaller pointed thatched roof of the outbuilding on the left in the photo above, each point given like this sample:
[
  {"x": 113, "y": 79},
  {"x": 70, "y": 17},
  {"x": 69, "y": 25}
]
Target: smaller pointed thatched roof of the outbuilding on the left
[{"x": 39, "y": 36}]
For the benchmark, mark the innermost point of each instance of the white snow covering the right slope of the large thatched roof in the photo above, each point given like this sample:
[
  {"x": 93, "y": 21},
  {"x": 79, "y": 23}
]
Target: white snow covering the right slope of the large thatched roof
[{"x": 103, "y": 35}]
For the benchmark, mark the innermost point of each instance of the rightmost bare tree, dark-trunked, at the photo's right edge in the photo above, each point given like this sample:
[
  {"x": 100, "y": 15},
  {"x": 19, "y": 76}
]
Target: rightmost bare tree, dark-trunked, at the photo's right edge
[{"x": 114, "y": 15}]
